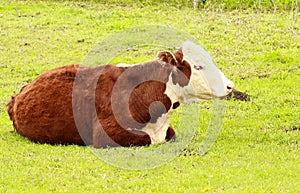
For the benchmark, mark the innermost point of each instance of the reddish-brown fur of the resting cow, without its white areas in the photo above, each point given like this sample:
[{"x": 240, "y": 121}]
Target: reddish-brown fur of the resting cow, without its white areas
[{"x": 90, "y": 106}]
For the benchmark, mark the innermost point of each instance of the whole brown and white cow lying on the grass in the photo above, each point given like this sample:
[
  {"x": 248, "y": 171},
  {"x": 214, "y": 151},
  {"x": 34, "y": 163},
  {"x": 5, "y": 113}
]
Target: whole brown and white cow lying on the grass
[{"x": 113, "y": 105}]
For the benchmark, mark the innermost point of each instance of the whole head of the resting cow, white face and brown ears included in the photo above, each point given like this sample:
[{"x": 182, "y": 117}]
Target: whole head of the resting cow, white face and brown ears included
[{"x": 195, "y": 76}]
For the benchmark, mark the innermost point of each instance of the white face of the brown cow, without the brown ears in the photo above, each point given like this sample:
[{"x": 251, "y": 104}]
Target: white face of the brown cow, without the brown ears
[{"x": 206, "y": 81}]
